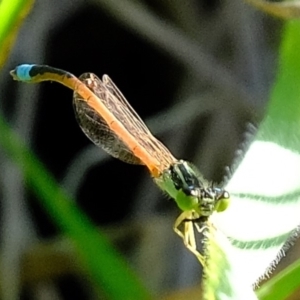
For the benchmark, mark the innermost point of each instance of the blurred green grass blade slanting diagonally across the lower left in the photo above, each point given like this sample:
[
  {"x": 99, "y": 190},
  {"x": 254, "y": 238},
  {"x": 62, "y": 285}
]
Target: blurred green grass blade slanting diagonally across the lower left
[{"x": 104, "y": 265}]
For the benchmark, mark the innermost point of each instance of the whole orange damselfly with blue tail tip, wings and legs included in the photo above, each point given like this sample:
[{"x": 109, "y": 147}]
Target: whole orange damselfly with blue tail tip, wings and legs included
[{"x": 110, "y": 122}]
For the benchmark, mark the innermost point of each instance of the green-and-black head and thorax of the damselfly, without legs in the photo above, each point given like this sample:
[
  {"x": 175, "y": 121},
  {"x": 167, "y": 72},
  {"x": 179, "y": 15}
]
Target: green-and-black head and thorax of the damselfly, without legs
[{"x": 190, "y": 191}]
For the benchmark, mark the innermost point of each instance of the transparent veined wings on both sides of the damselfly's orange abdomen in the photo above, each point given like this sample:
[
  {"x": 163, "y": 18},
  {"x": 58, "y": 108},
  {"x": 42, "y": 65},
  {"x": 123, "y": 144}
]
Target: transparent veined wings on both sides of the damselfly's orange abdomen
[{"x": 95, "y": 127}]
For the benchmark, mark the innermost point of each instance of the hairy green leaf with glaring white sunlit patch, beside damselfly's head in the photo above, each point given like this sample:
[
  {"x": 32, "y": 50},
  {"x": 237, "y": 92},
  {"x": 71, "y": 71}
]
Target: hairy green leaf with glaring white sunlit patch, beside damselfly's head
[{"x": 265, "y": 190}]
